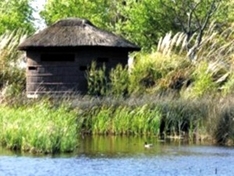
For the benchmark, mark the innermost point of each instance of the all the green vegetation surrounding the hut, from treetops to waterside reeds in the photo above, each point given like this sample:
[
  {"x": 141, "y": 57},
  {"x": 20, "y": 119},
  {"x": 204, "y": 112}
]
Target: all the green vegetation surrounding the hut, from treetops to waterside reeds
[{"x": 180, "y": 85}]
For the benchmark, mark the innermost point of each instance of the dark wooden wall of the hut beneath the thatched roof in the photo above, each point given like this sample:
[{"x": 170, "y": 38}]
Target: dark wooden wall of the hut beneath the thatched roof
[{"x": 63, "y": 77}]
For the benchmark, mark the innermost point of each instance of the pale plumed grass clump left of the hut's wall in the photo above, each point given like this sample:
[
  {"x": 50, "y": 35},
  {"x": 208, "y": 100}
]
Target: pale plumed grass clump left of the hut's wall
[{"x": 12, "y": 76}]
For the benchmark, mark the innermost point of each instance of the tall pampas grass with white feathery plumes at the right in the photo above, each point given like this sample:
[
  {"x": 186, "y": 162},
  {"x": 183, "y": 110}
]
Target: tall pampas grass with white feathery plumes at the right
[{"x": 212, "y": 63}]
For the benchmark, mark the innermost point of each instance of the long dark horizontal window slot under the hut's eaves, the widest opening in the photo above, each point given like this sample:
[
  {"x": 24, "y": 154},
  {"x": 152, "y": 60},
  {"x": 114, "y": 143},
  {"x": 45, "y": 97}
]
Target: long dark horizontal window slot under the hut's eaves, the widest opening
[{"x": 58, "y": 57}]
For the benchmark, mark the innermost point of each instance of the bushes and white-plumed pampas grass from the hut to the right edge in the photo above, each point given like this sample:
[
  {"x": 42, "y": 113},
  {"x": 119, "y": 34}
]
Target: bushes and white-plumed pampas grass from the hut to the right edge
[{"x": 167, "y": 68}]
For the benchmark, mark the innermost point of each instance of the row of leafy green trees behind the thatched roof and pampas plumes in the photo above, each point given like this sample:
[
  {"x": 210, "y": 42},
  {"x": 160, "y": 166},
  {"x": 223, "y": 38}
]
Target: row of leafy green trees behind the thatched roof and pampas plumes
[{"x": 142, "y": 21}]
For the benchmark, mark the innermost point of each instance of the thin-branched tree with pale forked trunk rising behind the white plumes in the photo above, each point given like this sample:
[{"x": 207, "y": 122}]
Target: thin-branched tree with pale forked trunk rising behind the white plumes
[{"x": 194, "y": 16}]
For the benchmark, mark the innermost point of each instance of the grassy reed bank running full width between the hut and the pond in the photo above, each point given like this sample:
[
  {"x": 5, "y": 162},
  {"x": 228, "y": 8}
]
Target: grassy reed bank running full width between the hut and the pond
[{"x": 54, "y": 126}]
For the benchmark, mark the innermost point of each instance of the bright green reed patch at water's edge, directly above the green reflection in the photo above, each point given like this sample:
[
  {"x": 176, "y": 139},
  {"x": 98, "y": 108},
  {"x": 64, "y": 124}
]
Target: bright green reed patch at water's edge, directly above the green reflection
[{"x": 122, "y": 120}]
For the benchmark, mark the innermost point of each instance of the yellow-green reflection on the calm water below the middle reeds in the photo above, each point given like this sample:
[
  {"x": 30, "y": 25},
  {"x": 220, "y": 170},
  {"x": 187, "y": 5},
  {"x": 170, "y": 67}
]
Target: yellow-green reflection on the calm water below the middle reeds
[{"x": 113, "y": 146}]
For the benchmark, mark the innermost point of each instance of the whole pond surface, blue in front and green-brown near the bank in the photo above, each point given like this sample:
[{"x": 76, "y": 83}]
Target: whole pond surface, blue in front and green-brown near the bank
[{"x": 110, "y": 156}]
